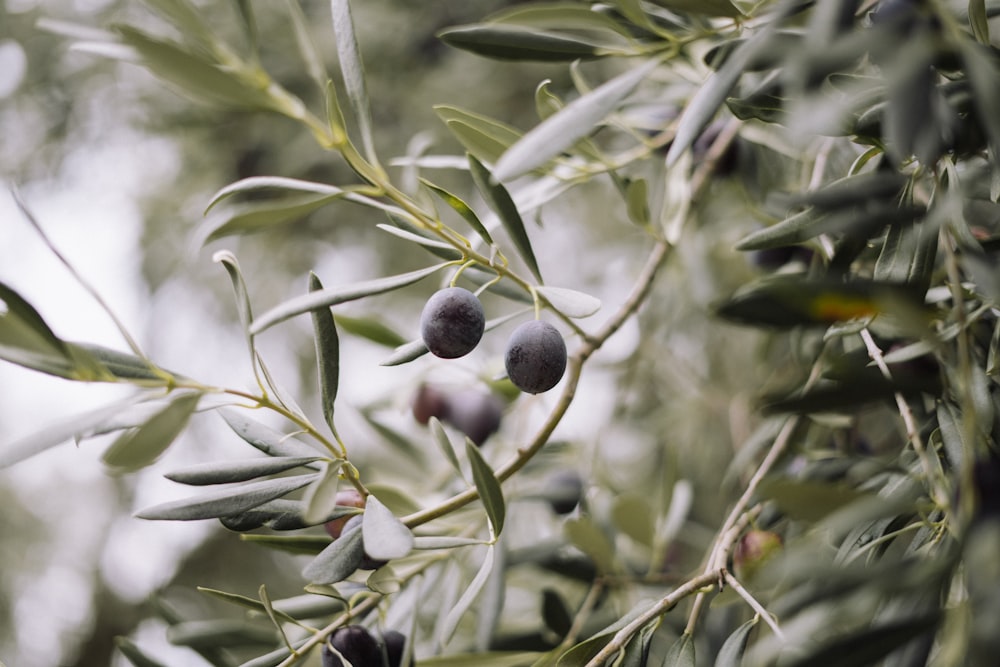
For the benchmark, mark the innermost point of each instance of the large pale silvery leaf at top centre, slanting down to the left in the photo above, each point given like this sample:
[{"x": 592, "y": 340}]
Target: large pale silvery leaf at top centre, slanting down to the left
[{"x": 564, "y": 128}]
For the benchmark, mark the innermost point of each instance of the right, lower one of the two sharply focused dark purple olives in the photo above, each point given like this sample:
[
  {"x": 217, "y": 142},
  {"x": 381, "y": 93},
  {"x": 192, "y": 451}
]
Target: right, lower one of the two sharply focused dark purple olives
[{"x": 536, "y": 357}]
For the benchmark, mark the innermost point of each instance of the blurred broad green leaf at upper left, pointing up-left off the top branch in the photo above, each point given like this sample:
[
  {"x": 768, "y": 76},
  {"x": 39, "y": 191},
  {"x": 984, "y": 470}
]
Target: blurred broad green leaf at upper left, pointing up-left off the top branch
[{"x": 198, "y": 78}]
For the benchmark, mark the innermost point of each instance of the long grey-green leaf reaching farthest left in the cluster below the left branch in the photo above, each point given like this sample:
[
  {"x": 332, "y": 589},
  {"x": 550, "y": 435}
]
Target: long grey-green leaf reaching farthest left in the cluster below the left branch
[{"x": 226, "y": 502}]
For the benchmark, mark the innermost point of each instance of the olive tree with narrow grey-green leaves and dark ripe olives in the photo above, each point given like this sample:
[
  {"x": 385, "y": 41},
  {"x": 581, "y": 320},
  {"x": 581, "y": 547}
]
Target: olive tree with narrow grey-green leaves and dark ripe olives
[{"x": 846, "y": 515}]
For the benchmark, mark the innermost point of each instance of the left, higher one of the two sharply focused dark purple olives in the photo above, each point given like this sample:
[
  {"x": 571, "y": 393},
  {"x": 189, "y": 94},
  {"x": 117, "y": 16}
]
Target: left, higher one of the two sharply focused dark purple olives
[{"x": 452, "y": 322}]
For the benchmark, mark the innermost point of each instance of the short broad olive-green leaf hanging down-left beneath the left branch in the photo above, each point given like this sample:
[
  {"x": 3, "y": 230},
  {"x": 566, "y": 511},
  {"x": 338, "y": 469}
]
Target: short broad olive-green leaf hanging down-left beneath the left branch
[{"x": 141, "y": 446}]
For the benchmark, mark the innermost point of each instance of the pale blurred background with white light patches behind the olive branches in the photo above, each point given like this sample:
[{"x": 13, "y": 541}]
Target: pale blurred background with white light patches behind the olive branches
[{"x": 118, "y": 168}]
